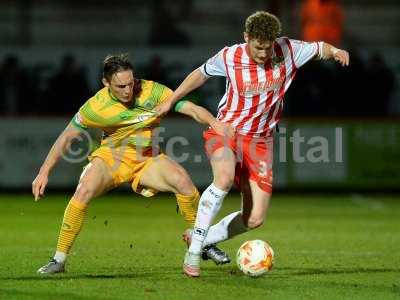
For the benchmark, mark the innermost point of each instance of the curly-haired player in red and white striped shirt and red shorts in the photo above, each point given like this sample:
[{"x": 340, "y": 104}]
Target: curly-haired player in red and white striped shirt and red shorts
[{"x": 258, "y": 73}]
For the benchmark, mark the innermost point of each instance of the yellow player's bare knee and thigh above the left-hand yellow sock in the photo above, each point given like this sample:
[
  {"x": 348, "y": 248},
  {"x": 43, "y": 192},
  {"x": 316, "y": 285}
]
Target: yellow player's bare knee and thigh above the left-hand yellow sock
[{"x": 94, "y": 181}]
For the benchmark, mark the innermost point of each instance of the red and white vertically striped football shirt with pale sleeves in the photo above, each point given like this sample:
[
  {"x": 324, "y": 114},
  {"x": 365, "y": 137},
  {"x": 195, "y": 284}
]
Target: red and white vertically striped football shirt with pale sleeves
[{"x": 253, "y": 99}]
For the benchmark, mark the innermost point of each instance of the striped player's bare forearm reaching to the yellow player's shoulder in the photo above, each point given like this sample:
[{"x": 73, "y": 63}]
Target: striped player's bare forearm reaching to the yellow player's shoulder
[{"x": 191, "y": 82}]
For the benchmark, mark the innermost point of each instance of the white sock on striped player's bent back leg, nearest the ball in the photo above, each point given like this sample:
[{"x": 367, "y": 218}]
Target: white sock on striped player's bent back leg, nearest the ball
[{"x": 227, "y": 228}]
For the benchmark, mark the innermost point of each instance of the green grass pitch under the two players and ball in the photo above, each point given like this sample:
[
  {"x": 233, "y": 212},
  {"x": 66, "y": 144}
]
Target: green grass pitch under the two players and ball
[{"x": 326, "y": 247}]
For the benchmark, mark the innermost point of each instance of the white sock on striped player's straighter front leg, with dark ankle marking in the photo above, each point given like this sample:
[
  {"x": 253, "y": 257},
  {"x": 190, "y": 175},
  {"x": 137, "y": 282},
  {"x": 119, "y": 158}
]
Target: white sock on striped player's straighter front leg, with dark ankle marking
[{"x": 209, "y": 206}]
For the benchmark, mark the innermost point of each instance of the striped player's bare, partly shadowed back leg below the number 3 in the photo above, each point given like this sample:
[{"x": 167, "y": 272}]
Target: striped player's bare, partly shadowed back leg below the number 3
[{"x": 255, "y": 203}]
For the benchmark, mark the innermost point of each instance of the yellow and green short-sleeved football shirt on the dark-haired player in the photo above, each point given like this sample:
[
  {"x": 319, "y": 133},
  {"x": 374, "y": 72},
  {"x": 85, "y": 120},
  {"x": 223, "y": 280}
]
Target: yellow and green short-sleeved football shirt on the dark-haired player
[{"x": 122, "y": 125}]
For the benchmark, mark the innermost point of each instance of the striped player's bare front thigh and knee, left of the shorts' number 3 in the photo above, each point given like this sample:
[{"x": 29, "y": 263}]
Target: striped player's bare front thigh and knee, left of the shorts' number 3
[{"x": 223, "y": 162}]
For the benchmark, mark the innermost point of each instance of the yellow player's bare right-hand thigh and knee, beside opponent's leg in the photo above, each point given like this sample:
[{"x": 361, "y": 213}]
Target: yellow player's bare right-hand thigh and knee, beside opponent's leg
[{"x": 166, "y": 175}]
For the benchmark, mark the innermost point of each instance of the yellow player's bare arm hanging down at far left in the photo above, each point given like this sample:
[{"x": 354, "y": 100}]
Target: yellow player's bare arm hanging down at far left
[{"x": 54, "y": 155}]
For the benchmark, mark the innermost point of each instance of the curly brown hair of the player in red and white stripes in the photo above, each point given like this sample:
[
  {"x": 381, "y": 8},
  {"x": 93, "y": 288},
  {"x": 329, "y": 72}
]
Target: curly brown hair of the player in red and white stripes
[{"x": 263, "y": 26}]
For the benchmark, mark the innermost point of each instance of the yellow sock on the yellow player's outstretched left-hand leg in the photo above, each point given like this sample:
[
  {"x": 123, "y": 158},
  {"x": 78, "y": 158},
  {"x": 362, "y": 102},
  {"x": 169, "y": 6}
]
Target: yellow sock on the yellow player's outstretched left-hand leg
[{"x": 71, "y": 226}]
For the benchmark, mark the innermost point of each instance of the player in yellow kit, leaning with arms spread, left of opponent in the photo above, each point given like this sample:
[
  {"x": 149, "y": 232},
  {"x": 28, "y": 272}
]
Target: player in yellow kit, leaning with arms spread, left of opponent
[{"x": 123, "y": 111}]
